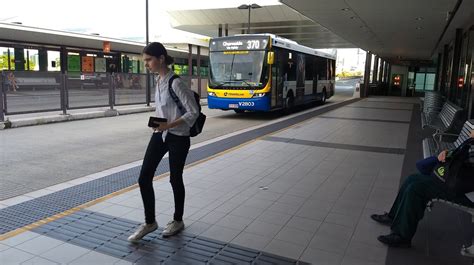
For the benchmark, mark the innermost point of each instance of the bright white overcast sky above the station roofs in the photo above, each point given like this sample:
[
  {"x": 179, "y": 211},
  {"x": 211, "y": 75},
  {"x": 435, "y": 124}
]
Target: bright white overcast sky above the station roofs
[{"x": 117, "y": 19}]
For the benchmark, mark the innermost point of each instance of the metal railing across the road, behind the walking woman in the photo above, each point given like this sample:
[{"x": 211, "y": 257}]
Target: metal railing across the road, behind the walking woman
[{"x": 24, "y": 92}]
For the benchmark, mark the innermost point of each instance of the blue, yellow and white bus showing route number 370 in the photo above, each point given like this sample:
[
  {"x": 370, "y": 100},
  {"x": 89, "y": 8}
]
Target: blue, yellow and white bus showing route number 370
[{"x": 264, "y": 72}]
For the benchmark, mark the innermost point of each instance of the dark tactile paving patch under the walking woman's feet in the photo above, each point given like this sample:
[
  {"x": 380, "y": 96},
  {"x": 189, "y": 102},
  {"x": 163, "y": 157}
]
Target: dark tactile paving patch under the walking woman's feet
[{"x": 108, "y": 235}]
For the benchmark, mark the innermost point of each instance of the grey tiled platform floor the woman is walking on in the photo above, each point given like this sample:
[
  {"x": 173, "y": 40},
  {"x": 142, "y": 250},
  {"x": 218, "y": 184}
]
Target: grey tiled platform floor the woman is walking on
[{"x": 298, "y": 190}]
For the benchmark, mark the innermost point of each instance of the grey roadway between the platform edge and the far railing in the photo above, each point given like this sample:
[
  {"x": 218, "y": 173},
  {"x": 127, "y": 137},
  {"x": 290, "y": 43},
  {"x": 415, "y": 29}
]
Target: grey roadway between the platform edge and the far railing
[{"x": 37, "y": 157}]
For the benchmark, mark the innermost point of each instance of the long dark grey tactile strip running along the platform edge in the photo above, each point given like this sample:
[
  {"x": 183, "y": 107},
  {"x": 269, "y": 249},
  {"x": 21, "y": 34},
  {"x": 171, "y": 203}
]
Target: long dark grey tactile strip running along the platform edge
[{"x": 31, "y": 211}]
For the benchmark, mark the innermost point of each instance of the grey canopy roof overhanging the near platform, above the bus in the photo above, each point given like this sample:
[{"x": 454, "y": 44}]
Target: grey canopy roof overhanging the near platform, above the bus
[{"x": 402, "y": 31}]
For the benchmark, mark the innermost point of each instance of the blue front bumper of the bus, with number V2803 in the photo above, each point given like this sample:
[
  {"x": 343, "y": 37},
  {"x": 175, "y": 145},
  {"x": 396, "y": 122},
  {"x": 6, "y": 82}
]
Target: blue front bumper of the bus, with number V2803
[{"x": 250, "y": 104}]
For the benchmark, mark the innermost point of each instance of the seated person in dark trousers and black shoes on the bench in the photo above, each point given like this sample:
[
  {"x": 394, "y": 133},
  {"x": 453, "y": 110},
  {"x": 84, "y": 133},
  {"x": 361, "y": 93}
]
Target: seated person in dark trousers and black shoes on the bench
[{"x": 409, "y": 206}]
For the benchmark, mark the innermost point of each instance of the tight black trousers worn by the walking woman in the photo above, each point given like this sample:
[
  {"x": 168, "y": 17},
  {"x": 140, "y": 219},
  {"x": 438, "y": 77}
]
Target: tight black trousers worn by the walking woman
[{"x": 178, "y": 148}]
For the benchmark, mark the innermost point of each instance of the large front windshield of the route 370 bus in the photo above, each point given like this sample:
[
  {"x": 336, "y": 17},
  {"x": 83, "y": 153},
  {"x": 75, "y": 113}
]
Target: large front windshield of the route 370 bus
[{"x": 237, "y": 68}]
